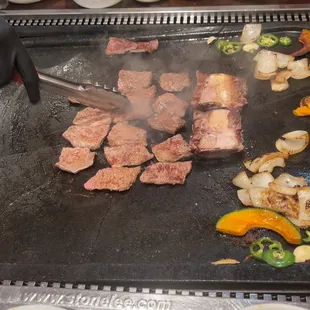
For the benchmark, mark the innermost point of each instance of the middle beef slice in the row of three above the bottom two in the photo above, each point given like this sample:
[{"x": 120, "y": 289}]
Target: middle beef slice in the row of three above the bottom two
[{"x": 127, "y": 155}]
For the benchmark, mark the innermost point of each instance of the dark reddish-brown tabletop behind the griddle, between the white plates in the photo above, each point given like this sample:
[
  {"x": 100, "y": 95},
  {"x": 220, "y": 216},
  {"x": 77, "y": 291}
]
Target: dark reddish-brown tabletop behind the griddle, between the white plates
[{"x": 70, "y": 4}]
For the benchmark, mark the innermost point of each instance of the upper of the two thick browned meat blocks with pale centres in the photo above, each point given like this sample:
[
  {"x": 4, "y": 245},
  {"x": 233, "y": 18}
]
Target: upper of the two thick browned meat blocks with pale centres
[{"x": 220, "y": 90}]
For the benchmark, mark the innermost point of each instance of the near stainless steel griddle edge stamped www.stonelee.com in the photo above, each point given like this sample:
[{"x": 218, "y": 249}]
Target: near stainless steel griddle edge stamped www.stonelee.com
[{"x": 66, "y": 296}]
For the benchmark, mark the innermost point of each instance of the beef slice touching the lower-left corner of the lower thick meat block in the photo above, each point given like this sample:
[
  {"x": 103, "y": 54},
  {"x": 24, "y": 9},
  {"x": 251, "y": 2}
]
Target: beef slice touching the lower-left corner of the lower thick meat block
[{"x": 171, "y": 150}]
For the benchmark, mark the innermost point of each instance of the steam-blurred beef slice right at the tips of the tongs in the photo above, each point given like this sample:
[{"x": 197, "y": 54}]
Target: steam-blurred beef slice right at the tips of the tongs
[{"x": 141, "y": 102}]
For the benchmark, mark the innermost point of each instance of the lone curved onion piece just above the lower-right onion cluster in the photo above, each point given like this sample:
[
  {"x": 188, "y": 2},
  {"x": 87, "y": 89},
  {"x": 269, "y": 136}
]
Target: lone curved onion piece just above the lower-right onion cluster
[{"x": 293, "y": 142}]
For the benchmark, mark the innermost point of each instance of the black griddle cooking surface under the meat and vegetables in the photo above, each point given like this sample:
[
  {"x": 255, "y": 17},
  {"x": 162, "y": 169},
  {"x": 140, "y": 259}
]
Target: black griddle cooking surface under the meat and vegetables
[{"x": 54, "y": 230}]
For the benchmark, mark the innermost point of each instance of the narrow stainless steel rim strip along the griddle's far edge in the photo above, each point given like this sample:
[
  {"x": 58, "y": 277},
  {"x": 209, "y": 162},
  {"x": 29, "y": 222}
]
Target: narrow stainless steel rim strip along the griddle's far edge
[{"x": 207, "y": 9}]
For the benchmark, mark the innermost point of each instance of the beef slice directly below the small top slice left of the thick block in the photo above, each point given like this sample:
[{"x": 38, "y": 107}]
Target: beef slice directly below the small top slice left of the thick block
[{"x": 170, "y": 103}]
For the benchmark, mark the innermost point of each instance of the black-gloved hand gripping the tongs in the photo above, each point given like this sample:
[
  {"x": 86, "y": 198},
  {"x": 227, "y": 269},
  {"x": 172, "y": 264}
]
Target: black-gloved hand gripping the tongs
[{"x": 14, "y": 56}]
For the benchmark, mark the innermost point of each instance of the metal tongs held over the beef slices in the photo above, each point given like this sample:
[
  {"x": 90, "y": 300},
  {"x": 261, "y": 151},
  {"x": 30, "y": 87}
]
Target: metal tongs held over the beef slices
[{"x": 91, "y": 95}]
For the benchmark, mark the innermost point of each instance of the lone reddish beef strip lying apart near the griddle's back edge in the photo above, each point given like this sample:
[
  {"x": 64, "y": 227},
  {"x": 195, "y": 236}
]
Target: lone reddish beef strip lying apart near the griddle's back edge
[{"x": 117, "y": 46}]
